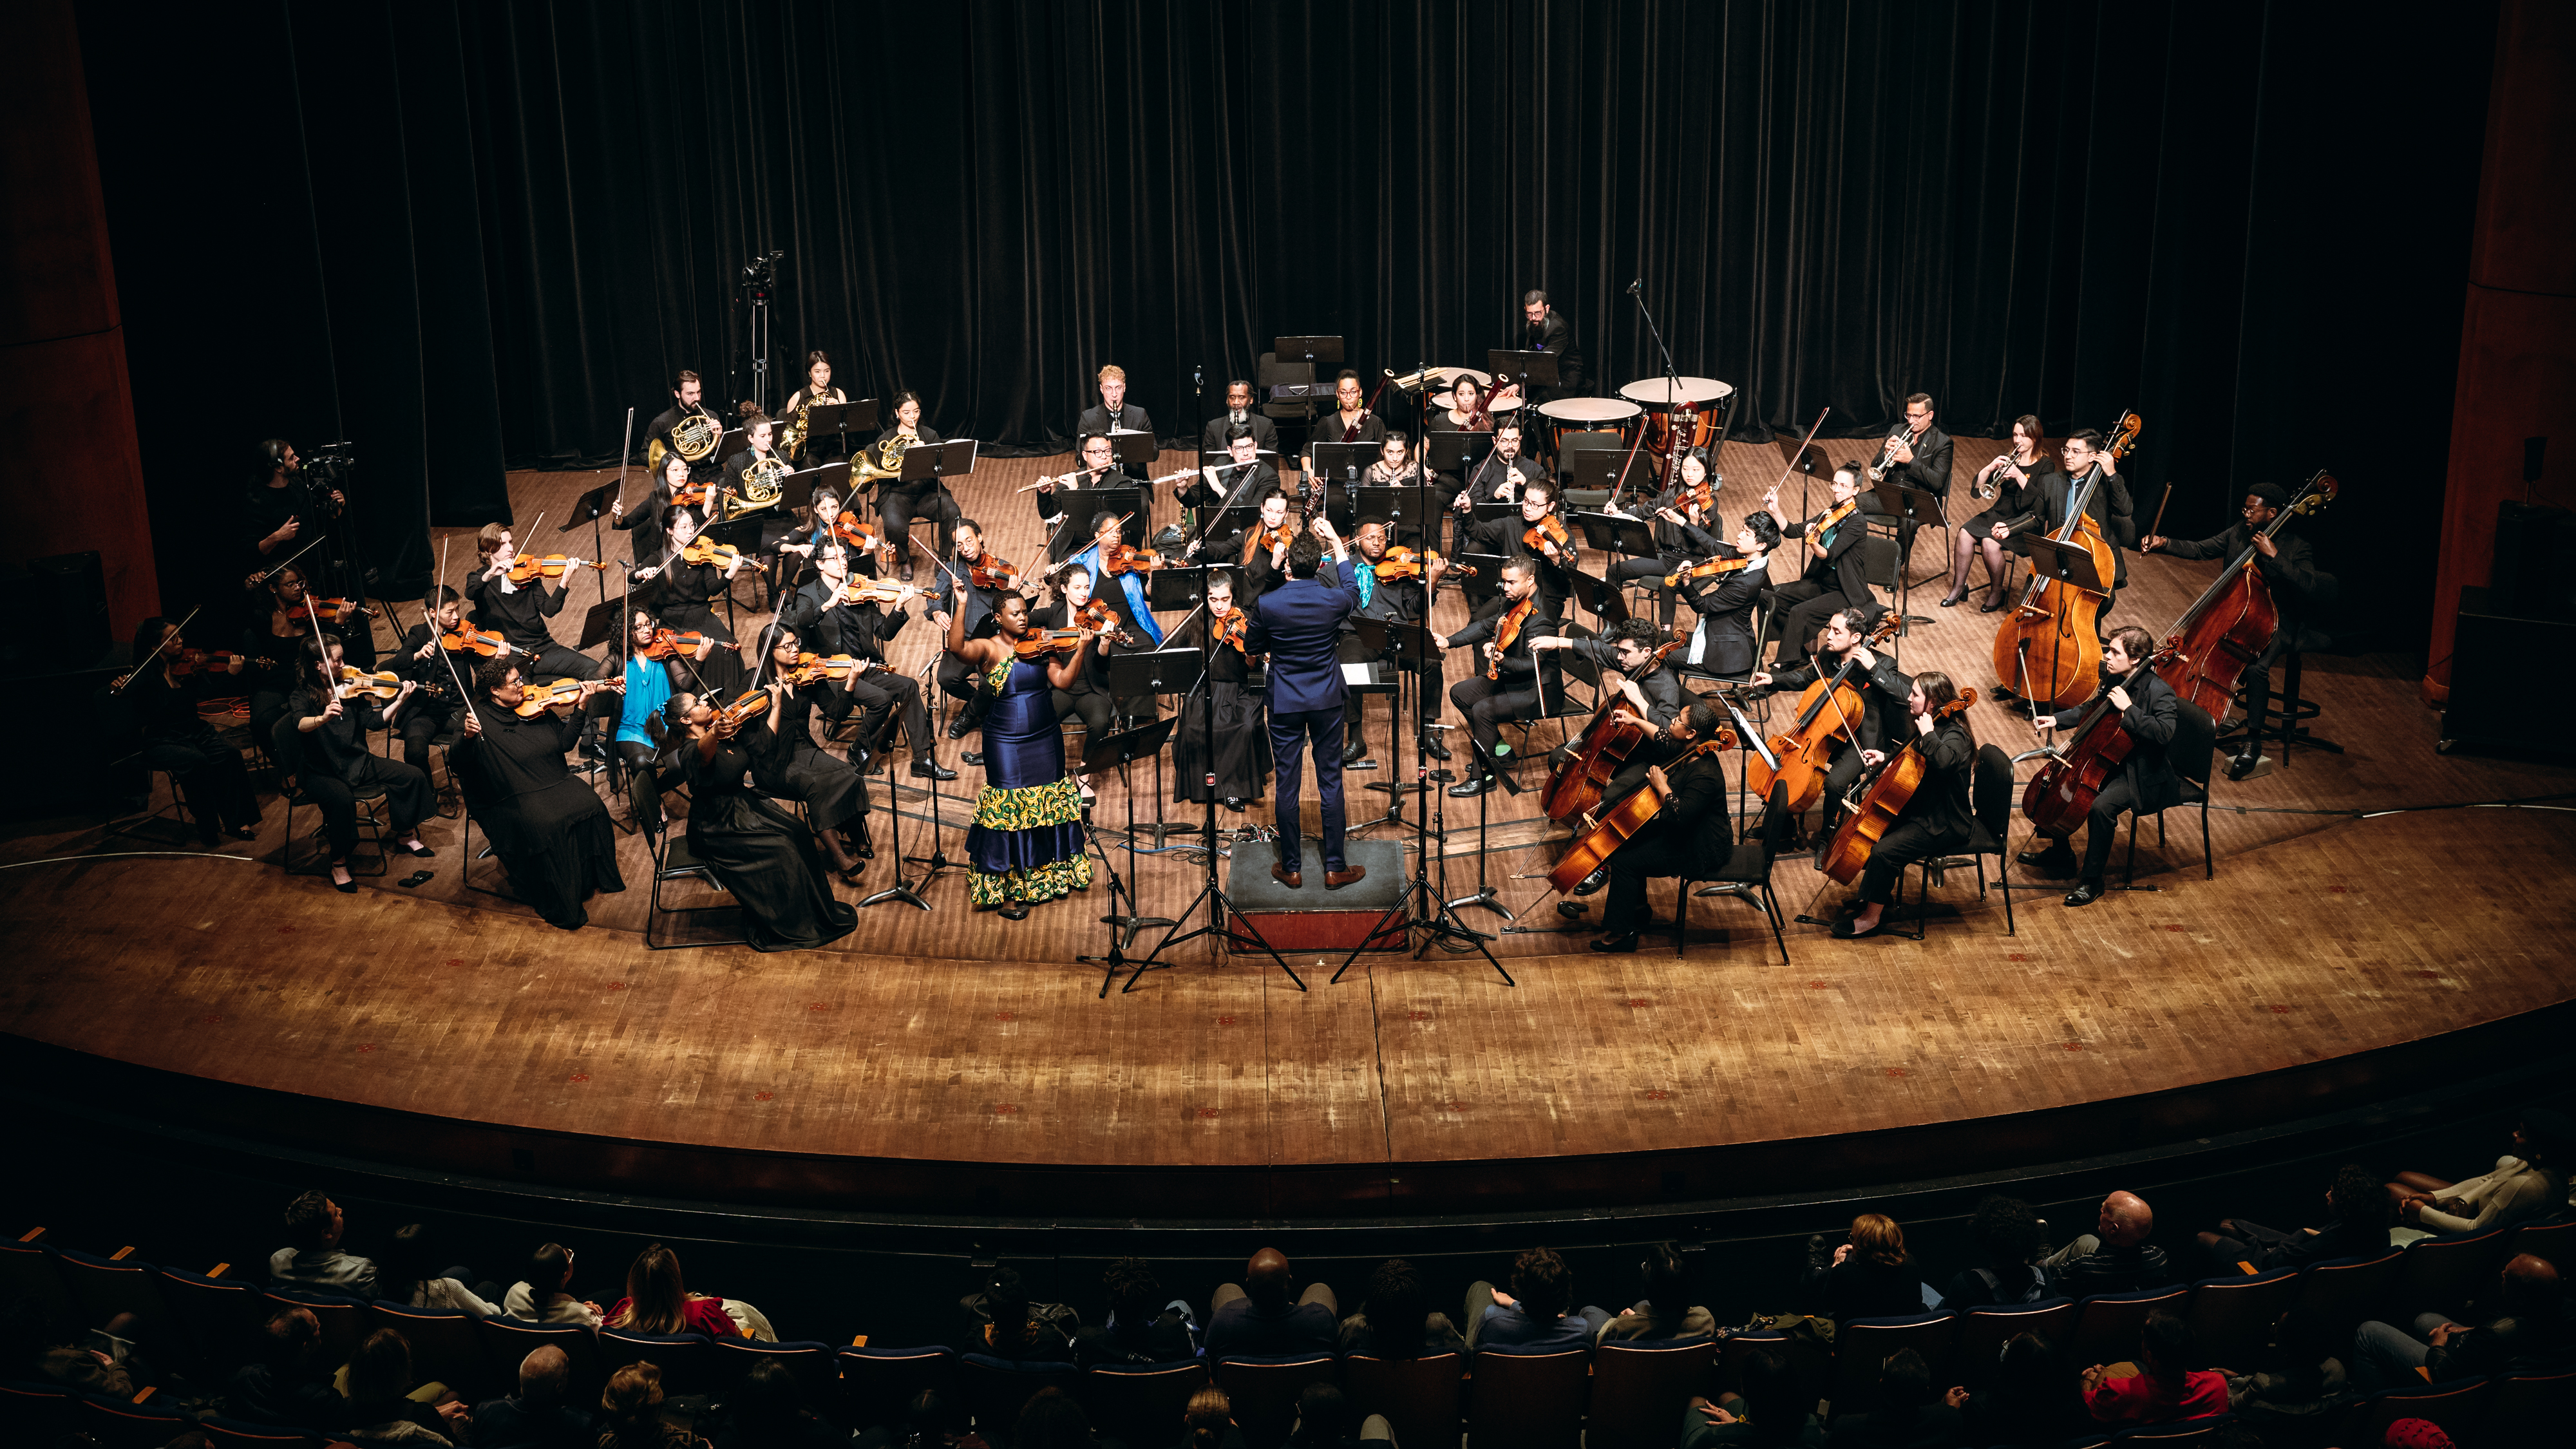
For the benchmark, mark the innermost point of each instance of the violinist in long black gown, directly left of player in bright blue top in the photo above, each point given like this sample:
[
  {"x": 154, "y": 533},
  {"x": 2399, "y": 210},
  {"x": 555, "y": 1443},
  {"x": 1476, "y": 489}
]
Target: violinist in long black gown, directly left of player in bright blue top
[{"x": 545, "y": 824}]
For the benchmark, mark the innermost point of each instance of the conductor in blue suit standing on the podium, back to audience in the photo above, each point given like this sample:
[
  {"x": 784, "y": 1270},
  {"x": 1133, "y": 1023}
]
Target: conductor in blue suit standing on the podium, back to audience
[{"x": 1300, "y": 625}]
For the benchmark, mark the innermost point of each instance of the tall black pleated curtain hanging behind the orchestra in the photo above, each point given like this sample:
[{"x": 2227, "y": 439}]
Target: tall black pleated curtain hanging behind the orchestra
[{"x": 501, "y": 226}]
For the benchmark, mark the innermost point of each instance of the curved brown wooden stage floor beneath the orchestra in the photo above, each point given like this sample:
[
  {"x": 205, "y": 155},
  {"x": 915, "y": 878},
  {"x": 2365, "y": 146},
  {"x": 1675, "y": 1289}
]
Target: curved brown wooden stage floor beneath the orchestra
[{"x": 952, "y": 1061}]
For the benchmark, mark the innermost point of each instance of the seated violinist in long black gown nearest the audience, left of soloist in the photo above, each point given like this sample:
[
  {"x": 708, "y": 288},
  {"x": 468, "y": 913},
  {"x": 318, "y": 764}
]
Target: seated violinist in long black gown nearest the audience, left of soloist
[{"x": 759, "y": 852}]
